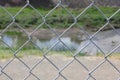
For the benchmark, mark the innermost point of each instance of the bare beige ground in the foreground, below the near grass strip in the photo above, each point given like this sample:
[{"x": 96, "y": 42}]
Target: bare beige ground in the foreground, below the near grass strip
[{"x": 73, "y": 71}]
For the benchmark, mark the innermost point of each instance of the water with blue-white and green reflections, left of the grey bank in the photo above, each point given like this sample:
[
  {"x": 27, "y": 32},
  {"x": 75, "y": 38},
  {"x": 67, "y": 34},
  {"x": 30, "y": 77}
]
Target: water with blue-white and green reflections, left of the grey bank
[{"x": 64, "y": 43}]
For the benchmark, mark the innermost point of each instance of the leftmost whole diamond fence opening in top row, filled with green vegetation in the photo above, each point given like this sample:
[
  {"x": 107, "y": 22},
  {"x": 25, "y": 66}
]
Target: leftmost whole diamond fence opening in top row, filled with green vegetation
[{"x": 29, "y": 22}]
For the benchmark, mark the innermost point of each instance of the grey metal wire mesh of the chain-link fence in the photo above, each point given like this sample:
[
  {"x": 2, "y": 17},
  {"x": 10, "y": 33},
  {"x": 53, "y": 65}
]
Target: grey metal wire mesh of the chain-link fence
[{"x": 45, "y": 56}]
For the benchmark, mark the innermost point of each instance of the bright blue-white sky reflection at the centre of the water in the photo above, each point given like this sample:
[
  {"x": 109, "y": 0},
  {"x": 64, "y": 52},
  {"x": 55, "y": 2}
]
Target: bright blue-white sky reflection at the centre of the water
[{"x": 62, "y": 44}]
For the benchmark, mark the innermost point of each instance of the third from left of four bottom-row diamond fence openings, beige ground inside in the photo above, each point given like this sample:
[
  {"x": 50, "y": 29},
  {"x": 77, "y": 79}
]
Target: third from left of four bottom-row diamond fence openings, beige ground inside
[{"x": 75, "y": 71}]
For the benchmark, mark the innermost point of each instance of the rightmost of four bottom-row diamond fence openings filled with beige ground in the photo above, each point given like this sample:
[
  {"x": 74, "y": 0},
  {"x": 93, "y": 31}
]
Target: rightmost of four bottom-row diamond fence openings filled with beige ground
[{"x": 106, "y": 70}]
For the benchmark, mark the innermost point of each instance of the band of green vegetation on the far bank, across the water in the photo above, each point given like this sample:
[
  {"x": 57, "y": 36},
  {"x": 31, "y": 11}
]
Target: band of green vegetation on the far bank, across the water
[{"x": 59, "y": 18}]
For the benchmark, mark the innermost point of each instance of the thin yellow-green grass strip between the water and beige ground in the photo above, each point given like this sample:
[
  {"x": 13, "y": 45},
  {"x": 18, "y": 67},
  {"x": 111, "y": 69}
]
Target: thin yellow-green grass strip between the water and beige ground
[{"x": 7, "y": 54}]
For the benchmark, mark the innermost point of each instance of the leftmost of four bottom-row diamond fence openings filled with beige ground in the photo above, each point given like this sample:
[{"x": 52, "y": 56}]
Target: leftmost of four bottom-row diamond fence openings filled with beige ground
[{"x": 17, "y": 71}]
